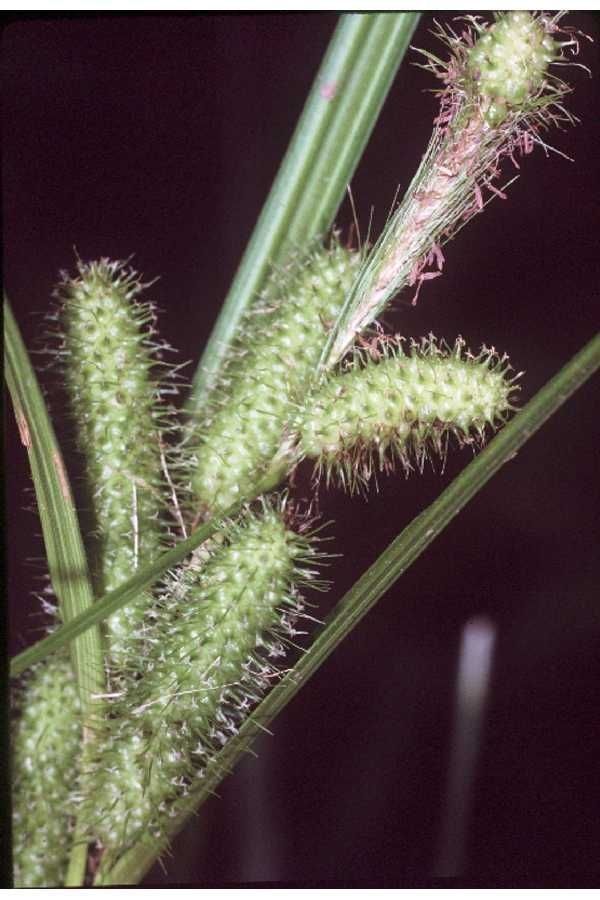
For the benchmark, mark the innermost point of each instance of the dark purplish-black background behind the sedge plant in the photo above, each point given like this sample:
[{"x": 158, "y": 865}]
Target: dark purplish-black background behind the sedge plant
[{"x": 160, "y": 136}]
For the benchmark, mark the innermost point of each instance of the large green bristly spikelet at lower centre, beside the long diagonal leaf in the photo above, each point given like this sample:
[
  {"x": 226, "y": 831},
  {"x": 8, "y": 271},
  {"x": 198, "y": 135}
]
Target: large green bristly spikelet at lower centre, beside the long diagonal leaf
[{"x": 207, "y": 659}]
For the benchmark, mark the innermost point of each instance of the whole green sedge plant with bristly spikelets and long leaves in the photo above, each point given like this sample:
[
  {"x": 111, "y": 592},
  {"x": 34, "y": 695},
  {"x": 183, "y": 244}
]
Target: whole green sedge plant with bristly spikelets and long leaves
[{"x": 202, "y": 557}]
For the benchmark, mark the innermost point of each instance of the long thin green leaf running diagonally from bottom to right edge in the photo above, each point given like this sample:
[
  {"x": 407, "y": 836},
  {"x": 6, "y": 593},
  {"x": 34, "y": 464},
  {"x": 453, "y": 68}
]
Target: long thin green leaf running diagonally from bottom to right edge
[{"x": 390, "y": 565}]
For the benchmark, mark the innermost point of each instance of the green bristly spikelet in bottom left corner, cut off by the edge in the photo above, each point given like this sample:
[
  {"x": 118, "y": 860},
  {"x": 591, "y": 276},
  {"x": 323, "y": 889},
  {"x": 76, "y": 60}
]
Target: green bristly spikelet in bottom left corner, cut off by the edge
[{"x": 46, "y": 745}]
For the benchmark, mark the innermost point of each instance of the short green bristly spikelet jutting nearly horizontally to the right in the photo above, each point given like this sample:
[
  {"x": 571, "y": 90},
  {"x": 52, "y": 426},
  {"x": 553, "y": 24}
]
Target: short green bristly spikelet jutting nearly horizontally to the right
[{"x": 402, "y": 405}]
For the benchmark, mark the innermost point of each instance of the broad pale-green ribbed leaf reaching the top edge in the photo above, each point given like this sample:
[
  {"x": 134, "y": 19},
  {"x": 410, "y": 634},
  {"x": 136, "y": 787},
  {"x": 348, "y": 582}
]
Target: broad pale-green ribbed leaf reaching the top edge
[{"x": 349, "y": 90}]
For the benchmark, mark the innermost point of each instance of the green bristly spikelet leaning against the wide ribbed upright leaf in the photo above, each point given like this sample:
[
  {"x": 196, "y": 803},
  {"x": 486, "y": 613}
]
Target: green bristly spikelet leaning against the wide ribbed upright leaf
[{"x": 268, "y": 374}]
